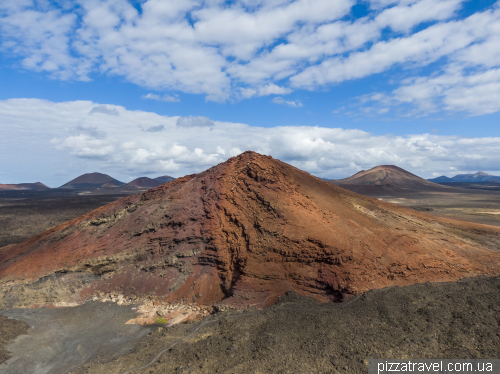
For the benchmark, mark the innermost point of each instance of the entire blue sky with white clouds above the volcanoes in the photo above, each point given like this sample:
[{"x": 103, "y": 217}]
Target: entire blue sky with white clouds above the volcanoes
[{"x": 136, "y": 88}]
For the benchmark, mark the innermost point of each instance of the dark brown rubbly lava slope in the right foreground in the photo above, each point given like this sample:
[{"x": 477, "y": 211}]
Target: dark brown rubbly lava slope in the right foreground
[{"x": 298, "y": 335}]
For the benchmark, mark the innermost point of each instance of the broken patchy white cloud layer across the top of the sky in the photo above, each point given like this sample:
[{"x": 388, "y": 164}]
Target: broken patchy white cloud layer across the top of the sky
[{"x": 250, "y": 48}]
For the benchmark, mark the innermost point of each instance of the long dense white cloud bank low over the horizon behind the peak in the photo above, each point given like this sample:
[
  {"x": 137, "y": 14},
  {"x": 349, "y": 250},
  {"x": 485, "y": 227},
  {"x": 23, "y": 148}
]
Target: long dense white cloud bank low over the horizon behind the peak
[{"x": 118, "y": 146}]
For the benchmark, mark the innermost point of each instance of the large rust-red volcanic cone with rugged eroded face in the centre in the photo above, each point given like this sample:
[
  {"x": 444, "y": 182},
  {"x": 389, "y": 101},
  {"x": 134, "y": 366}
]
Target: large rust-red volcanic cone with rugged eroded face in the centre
[{"x": 245, "y": 232}]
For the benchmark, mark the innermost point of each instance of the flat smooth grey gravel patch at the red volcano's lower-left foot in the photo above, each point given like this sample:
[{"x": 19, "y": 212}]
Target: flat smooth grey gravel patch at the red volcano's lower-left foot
[{"x": 61, "y": 339}]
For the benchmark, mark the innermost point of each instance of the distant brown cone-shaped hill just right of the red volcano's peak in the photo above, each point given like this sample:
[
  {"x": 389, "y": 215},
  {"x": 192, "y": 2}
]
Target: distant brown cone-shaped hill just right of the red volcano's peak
[{"x": 388, "y": 178}]
